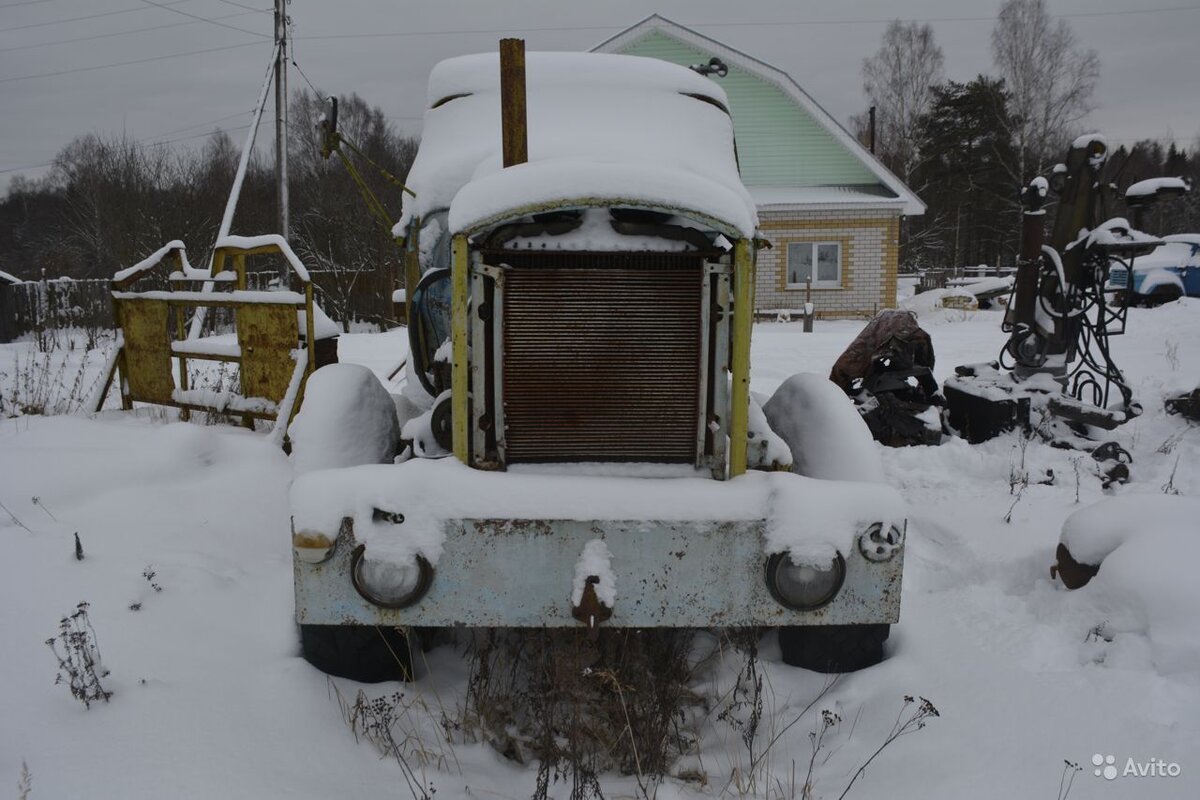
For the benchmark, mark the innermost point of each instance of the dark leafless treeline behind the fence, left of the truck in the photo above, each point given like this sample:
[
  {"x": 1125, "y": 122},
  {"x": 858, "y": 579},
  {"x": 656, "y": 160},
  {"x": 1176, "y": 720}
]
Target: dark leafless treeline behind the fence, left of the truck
[{"x": 110, "y": 202}]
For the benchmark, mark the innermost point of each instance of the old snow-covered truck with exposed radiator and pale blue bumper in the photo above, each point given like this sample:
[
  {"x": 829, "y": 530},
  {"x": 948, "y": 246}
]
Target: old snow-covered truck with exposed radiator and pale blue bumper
[{"x": 578, "y": 443}]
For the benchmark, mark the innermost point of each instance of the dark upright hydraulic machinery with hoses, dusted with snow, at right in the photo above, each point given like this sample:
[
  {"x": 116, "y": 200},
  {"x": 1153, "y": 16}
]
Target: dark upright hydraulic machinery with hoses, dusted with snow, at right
[{"x": 1060, "y": 318}]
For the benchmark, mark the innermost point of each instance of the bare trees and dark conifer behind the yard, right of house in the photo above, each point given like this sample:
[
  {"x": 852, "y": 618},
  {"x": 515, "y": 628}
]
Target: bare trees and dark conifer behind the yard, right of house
[{"x": 969, "y": 148}]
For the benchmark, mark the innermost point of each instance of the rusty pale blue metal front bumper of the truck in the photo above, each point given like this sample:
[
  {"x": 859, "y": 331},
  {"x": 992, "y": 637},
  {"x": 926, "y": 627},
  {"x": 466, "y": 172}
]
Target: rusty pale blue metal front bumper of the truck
[{"x": 520, "y": 574}]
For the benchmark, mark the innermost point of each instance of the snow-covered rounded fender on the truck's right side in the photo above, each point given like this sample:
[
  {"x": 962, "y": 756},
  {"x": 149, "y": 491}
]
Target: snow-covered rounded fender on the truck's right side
[{"x": 827, "y": 437}]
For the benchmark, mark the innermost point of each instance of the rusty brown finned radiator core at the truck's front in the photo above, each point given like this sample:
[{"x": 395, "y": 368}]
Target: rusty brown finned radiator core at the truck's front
[{"x": 602, "y": 362}]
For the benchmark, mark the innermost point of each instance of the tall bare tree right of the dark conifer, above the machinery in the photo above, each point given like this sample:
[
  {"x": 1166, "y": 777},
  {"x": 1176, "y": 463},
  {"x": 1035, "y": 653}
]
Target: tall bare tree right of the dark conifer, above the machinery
[{"x": 1051, "y": 80}]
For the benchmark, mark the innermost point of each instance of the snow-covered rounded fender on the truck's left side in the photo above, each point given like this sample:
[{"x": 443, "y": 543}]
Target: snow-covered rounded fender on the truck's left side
[{"x": 349, "y": 419}]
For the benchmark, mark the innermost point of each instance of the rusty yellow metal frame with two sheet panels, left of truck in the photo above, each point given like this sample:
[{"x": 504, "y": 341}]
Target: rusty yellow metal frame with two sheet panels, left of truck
[{"x": 260, "y": 323}]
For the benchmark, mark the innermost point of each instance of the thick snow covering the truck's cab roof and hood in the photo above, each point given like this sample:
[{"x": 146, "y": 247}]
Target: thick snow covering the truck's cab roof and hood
[{"x": 604, "y": 131}]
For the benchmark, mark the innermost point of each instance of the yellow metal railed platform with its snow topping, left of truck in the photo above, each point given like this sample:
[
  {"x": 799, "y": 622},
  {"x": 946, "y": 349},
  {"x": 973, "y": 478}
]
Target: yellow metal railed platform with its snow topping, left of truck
[{"x": 278, "y": 338}]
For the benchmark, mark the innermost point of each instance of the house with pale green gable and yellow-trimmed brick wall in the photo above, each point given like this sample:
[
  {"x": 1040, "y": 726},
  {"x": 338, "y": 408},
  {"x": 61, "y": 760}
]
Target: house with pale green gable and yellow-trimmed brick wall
[{"x": 830, "y": 209}]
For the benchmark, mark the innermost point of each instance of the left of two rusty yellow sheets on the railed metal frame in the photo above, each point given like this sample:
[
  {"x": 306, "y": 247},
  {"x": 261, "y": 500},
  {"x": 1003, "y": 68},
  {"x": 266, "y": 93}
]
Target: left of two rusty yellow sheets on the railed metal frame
[{"x": 148, "y": 371}]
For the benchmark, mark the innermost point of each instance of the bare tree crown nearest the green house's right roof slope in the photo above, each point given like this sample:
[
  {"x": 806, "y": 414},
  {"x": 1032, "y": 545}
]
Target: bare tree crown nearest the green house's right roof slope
[{"x": 898, "y": 81}]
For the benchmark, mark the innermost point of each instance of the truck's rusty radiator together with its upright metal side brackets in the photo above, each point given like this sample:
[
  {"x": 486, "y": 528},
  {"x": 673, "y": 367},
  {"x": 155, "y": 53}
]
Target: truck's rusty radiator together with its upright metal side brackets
[{"x": 598, "y": 358}]
